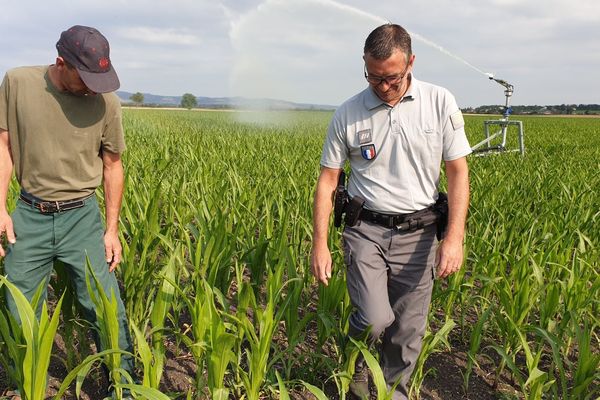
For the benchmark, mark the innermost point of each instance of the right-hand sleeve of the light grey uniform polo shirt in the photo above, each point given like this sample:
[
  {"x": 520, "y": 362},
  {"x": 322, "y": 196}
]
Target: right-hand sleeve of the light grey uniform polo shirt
[{"x": 456, "y": 144}]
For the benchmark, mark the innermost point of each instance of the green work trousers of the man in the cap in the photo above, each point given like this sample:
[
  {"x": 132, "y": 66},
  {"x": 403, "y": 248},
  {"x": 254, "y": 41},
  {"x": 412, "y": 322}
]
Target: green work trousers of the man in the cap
[{"x": 67, "y": 236}]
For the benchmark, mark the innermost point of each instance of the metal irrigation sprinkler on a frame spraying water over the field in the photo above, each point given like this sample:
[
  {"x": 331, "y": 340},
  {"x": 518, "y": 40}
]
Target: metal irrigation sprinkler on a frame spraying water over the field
[{"x": 490, "y": 143}]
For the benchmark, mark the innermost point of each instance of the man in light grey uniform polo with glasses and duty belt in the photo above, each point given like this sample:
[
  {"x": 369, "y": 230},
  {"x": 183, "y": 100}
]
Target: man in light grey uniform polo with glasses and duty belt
[{"x": 394, "y": 134}]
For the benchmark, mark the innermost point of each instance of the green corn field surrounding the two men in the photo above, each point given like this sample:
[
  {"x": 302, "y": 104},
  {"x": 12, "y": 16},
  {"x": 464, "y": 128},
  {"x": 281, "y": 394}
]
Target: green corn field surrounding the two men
[{"x": 216, "y": 231}]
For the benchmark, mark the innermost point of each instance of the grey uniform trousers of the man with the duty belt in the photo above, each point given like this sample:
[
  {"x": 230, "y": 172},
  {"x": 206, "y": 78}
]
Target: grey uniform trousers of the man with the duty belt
[{"x": 390, "y": 279}]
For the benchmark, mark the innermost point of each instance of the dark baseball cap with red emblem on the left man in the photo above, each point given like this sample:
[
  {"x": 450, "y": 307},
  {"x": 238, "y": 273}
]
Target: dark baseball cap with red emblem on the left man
[{"x": 87, "y": 50}]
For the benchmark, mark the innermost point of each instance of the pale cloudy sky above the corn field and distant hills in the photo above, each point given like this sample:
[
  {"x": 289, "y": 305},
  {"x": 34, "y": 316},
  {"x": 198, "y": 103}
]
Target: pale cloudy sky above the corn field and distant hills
[{"x": 310, "y": 51}]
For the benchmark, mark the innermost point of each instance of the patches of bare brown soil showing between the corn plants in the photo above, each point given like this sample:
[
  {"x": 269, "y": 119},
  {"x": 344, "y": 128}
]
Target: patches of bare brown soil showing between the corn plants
[{"x": 444, "y": 380}]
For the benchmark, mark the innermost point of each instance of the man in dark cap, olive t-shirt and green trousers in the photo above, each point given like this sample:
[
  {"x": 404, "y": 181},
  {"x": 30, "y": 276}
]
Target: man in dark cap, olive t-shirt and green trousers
[{"x": 61, "y": 132}]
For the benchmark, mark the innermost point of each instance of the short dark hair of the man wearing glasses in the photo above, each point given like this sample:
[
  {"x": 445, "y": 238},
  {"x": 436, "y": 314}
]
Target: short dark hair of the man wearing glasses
[{"x": 382, "y": 42}]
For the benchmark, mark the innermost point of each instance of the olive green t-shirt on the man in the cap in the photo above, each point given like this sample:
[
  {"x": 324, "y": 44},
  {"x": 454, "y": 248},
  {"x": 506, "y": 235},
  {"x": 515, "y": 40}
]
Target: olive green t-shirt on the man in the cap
[{"x": 57, "y": 138}]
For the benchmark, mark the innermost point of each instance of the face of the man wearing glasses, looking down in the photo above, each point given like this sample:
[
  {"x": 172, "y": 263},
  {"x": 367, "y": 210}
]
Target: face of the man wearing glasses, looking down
[{"x": 389, "y": 77}]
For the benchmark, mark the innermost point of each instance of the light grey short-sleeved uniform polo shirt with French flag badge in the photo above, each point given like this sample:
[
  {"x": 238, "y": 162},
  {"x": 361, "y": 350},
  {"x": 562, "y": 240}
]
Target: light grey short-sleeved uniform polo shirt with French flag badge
[{"x": 395, "y": 153}]
